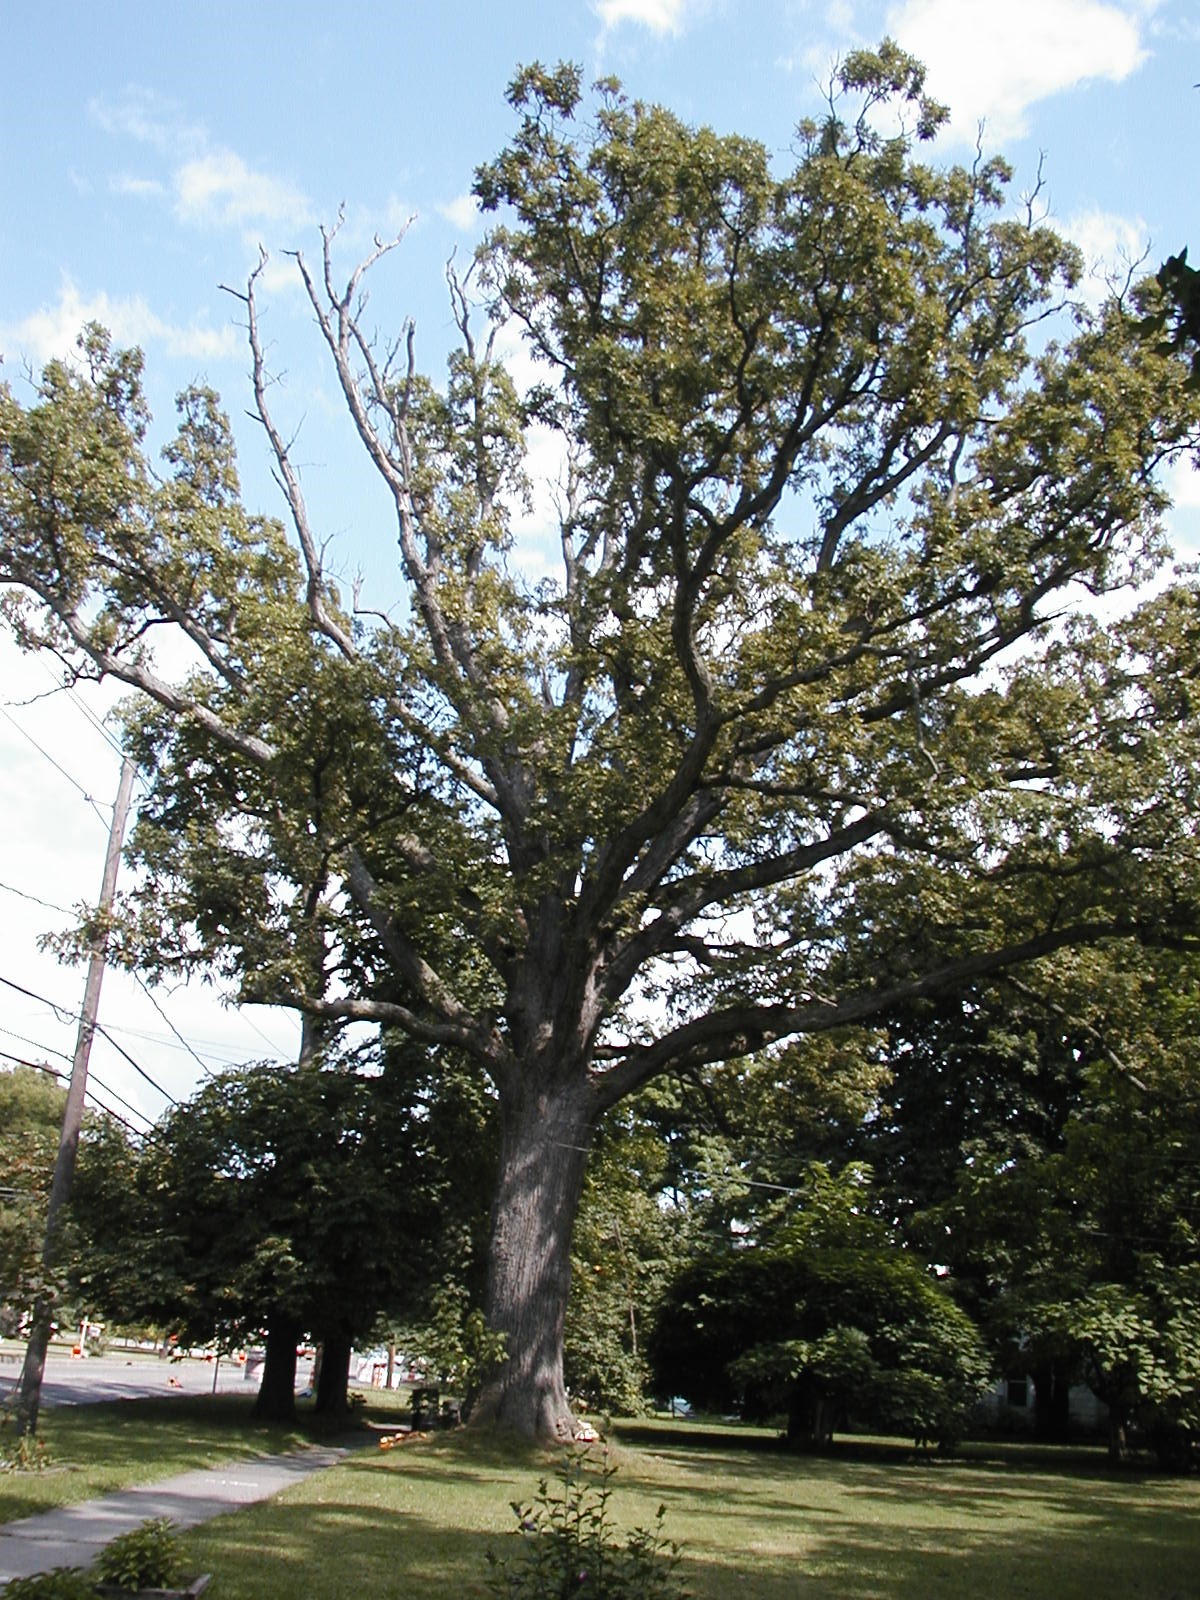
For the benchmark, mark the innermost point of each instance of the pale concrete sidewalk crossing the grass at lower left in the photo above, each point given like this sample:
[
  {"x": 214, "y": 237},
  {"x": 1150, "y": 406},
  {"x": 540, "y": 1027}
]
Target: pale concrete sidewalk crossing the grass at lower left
[{"x": 76, "y": 1535}]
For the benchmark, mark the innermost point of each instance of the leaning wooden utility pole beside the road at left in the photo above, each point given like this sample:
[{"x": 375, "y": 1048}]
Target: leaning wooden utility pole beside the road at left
[{"x": 30, "y": 1390}]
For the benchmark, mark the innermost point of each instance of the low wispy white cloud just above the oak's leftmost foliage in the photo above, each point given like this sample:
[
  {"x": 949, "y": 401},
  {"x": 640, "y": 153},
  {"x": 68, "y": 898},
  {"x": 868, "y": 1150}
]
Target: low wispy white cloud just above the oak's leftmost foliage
[{"x": 52, "y": 332}]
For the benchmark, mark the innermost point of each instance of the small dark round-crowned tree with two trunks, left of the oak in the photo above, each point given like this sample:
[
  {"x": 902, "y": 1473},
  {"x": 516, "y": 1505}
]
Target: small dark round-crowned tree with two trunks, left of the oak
[{"x": 302, "y": 1201}]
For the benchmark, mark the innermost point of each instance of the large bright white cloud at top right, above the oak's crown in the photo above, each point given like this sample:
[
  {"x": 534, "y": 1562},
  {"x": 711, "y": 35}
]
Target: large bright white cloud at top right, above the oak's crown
[{"x": 991, "y": 63}]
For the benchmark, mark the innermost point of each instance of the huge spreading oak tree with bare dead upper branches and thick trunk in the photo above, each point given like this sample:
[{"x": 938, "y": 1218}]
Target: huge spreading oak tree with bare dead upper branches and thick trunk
[{"x": 756, "y": 762}]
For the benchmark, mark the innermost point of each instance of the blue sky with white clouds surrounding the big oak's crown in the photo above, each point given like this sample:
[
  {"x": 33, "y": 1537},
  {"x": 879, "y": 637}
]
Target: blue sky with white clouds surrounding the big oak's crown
[{"x": 148, "y": 151}]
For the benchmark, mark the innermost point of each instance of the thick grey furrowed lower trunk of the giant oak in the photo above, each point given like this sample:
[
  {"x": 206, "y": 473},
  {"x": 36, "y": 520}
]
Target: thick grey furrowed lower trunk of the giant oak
[{"x": 546, "y": 1138}]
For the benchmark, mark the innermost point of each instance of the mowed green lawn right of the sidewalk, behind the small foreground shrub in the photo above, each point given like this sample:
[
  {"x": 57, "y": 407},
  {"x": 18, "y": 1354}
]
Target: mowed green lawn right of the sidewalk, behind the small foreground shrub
[{"x": 871, "y": 1521}]
